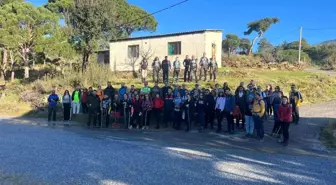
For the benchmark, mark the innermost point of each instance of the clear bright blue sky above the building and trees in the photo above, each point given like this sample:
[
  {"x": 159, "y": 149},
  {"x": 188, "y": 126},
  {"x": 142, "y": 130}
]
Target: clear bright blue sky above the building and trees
[{"x": 317, "y": 17}]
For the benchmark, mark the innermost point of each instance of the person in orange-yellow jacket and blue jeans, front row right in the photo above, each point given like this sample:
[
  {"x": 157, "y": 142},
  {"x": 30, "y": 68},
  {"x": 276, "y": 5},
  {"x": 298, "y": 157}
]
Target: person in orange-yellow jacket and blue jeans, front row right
[{"x": 258, "y": 112}]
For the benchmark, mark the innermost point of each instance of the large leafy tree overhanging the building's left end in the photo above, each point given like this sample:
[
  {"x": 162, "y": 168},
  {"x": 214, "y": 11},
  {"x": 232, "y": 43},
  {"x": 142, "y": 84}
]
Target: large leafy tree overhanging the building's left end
[{"x": 96, "y": 22}]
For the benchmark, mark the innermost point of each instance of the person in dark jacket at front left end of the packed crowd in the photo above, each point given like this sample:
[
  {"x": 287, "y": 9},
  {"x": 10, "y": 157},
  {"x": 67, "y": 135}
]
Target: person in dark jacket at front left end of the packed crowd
[{"x": 94, "y": 108}]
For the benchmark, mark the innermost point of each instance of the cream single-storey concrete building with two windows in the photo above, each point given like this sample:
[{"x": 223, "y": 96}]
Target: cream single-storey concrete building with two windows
[{"x": 128, "y": 53}]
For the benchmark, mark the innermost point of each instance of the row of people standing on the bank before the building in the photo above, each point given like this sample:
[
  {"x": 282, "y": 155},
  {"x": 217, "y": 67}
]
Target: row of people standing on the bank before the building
[{"x": 191, "y": 66}]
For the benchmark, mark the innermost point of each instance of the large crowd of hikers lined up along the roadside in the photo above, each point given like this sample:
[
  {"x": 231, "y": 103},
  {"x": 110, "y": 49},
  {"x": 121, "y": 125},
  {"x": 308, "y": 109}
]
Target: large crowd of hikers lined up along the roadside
[{"x": 245, "y": 108}]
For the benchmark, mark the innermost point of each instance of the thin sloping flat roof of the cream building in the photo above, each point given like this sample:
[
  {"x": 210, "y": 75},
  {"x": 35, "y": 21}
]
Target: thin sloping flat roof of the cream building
[{"x": 167, "y": 35}]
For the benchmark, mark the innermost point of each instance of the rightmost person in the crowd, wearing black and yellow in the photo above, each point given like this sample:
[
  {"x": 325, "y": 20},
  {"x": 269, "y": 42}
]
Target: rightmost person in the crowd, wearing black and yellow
[{"x": 295, "y": 98}]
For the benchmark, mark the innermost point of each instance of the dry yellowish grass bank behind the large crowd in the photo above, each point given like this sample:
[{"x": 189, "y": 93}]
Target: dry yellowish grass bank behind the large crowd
[{"x": 315, "y": 87}]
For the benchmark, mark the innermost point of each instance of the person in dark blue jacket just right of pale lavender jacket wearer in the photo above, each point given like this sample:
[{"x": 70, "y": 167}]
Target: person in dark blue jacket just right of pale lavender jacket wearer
[{"x": 229, "y": 108}]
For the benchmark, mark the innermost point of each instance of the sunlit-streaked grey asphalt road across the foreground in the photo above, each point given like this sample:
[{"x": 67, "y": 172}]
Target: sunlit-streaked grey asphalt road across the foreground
[{"x": 44, "y": 155}]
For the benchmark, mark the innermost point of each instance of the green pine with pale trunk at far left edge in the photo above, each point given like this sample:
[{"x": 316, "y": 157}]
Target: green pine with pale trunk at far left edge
[{"x": 23, "y": 26}]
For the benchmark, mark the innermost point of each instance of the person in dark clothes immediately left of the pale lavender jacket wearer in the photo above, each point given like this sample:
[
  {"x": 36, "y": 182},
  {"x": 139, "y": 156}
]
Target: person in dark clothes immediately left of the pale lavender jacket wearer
[{"x": 210, "y": 109}]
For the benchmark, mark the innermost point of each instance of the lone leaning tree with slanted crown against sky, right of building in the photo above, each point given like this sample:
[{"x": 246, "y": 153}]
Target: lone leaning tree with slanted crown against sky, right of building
[{"x": 260, "y": 26}]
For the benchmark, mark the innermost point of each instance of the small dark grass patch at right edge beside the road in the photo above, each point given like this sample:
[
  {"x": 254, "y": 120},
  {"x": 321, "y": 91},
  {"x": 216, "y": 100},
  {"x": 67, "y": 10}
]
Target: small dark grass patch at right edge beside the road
[{"x": 328, "y": 134}]
